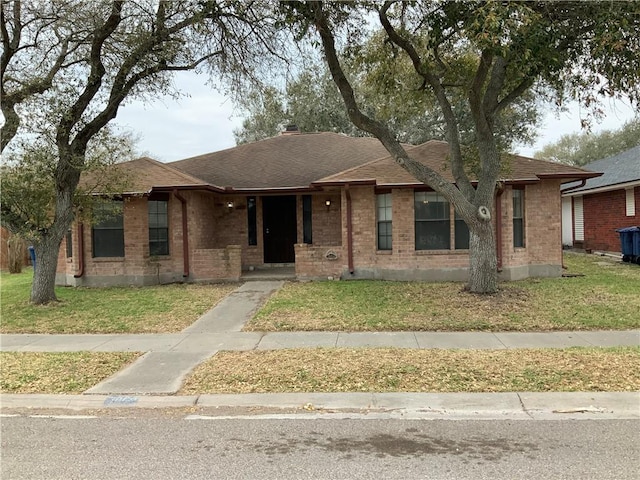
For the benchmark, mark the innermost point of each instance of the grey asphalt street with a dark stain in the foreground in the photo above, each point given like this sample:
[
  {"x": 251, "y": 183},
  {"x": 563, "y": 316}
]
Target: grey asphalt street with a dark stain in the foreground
[{"x": 178, "y": 445}]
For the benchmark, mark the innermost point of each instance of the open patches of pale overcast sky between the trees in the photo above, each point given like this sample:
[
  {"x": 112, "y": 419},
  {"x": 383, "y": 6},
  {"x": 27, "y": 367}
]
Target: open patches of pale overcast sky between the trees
[{"x": 204, "y": 122}]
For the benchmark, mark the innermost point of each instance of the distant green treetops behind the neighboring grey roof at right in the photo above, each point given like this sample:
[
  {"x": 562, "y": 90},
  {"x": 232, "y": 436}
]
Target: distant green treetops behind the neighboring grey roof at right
[{"x": 582, "y": 148}]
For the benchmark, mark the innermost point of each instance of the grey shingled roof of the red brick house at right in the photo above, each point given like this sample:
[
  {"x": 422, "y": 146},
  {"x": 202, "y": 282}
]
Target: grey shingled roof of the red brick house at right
[{"x": 618, "y": 170}]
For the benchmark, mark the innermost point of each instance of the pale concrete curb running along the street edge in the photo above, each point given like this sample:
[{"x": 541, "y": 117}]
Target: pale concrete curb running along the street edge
[{"x": 513, "y": 405}]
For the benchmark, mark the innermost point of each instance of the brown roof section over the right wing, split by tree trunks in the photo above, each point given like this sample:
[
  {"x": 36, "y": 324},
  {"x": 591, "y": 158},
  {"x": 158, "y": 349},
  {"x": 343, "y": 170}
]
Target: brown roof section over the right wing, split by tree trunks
[{"x": 434, "y": 154}]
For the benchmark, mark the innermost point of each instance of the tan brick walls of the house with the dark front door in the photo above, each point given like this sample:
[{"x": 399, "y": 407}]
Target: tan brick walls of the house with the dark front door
[{"x": 219, "y": 250}]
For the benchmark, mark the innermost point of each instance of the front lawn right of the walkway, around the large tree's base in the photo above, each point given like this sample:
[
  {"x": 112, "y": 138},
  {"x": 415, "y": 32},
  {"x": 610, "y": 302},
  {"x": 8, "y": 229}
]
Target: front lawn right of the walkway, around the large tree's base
[{"x": 606, "y": 297}]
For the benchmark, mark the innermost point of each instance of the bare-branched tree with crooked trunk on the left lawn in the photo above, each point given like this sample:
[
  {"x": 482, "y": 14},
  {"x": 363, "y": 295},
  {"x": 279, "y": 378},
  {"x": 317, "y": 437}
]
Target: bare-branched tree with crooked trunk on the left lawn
[{"x": 68, "y": 66}]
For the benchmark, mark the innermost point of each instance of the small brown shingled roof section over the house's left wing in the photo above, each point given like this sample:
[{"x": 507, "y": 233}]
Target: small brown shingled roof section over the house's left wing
[{"x": 144, "y": 174}]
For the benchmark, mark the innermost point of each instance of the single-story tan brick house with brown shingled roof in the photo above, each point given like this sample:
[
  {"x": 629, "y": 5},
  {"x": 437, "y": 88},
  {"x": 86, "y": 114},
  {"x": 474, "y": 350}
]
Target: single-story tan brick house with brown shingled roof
[{"x": 330, "y": 205}]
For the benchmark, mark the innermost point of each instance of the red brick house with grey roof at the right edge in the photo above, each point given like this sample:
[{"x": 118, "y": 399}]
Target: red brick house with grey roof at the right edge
[{"x": 594, "y": 209}]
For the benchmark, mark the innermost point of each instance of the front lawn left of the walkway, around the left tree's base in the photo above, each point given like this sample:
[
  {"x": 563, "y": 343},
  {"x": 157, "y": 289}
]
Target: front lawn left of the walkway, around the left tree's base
[{"x": 153, "y": 309}]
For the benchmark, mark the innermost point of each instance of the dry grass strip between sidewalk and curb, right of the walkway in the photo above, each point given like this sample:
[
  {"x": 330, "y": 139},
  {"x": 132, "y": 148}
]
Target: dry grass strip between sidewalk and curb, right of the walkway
[{"x": 402, "y": 370}]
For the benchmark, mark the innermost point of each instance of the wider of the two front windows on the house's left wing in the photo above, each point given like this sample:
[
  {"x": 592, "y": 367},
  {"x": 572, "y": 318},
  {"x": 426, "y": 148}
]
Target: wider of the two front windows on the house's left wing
[{"x": 108, "y": 232}]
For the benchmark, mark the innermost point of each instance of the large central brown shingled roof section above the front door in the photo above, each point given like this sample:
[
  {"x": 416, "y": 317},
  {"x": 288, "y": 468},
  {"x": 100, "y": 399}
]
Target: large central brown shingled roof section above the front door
[{"x": 284, "y": 162}]
